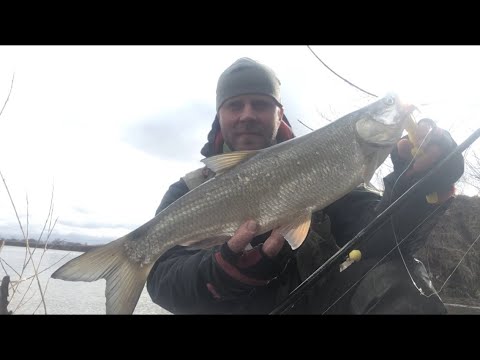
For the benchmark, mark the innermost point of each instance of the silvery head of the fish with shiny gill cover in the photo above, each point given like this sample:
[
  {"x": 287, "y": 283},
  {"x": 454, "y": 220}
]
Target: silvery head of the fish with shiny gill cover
[{"x": 381, "y": 124}]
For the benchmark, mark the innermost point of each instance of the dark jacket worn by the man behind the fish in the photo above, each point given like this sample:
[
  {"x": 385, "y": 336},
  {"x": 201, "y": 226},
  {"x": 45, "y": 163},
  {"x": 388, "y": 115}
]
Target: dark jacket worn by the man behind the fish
[{"x": 398, "y": 283}]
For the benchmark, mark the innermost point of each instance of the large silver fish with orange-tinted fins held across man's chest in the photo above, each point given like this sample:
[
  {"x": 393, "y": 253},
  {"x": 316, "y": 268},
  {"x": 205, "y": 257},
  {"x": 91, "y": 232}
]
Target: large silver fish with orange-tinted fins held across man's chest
[{"x": 279, "y": 186}]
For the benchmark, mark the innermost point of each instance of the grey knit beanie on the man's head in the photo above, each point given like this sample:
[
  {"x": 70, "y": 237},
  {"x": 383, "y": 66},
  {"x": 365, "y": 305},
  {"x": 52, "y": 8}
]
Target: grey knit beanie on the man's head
[{"x": 246, "y": 76}]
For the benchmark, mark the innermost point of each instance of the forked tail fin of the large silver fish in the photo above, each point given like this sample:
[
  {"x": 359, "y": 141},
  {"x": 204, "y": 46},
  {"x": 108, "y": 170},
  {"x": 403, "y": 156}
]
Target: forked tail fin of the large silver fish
[{"x": 125, "y": 279}]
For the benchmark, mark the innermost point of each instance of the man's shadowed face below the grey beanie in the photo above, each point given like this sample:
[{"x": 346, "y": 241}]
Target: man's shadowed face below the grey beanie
[{"x": 249, "y": 122}]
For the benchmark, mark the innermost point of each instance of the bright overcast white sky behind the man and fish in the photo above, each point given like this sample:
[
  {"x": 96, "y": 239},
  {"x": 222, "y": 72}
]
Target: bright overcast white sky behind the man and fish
[{"x": 109, "y": 128}]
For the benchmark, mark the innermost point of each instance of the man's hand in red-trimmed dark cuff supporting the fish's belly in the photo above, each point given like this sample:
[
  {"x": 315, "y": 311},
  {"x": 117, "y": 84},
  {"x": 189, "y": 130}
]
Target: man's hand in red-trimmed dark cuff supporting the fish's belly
[{"x": 237, "y": 271}]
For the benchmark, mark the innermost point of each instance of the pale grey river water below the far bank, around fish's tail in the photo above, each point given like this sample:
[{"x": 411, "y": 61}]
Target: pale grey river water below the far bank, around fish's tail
[{"x": 61, "y": 297}]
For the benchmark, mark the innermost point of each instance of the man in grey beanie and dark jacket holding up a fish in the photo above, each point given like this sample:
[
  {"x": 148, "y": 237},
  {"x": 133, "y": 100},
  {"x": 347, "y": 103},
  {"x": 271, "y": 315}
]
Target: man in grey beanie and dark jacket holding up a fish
[{"x": 250, "y": 274}]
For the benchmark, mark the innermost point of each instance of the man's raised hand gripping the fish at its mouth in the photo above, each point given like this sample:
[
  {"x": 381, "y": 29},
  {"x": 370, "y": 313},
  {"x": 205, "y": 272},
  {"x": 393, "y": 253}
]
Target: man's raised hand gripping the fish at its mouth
[{"x": 434, "y": 145}]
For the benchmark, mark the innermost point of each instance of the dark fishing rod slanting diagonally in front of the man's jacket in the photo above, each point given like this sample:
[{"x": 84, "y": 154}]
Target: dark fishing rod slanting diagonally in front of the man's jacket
[{"x": 367, "y": 231}]
